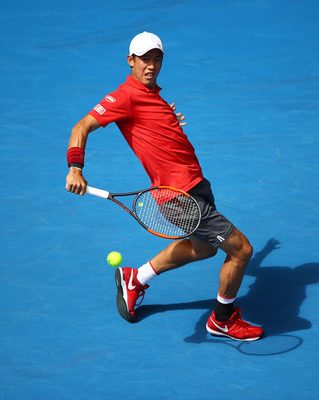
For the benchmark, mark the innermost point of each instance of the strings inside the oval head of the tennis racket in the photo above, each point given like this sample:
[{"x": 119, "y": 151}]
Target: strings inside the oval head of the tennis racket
[{"x": 168, "y": 212}]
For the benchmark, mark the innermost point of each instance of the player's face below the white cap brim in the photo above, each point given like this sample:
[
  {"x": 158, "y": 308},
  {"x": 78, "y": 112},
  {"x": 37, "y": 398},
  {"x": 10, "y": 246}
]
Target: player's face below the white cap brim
[{"x": 147, "y": 67}]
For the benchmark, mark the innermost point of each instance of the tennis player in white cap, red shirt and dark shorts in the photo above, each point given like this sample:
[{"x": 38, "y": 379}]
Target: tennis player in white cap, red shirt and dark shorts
[{"x": 155, "y": 134}]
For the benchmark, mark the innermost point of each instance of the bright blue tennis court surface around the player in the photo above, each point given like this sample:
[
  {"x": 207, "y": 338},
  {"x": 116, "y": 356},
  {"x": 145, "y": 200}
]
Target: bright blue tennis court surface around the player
[{"x": 245, "y": 74}]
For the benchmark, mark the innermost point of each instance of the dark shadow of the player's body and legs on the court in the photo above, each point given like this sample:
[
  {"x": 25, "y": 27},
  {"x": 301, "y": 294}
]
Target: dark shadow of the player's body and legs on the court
[{"x": 272, "y": 301}]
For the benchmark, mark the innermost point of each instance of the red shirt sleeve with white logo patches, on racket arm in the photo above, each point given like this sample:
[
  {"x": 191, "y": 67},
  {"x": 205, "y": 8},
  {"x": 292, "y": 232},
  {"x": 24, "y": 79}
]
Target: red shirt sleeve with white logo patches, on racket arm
[{"x": 114, "y": 107}]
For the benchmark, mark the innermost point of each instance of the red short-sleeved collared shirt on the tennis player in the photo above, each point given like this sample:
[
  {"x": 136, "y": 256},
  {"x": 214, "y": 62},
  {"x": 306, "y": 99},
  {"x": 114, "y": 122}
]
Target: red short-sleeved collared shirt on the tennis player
[{"x": 152, "y": 130}]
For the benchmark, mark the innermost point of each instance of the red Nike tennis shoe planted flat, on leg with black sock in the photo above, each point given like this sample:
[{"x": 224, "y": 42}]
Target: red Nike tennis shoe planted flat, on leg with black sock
[{"x": 235, "y": 327}]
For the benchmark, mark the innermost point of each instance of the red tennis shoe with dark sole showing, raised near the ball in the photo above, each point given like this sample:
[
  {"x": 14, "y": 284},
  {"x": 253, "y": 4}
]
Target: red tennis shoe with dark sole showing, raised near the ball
[{"x": 129, "y": 289}]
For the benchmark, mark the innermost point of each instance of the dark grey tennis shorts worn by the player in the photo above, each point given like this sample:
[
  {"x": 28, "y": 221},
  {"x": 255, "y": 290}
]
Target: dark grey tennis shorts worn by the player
[{"x": 214, "y": 228}]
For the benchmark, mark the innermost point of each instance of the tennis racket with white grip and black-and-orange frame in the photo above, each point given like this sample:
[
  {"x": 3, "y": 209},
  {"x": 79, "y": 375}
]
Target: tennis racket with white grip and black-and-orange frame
[{"x": 163, "y": 211}]
